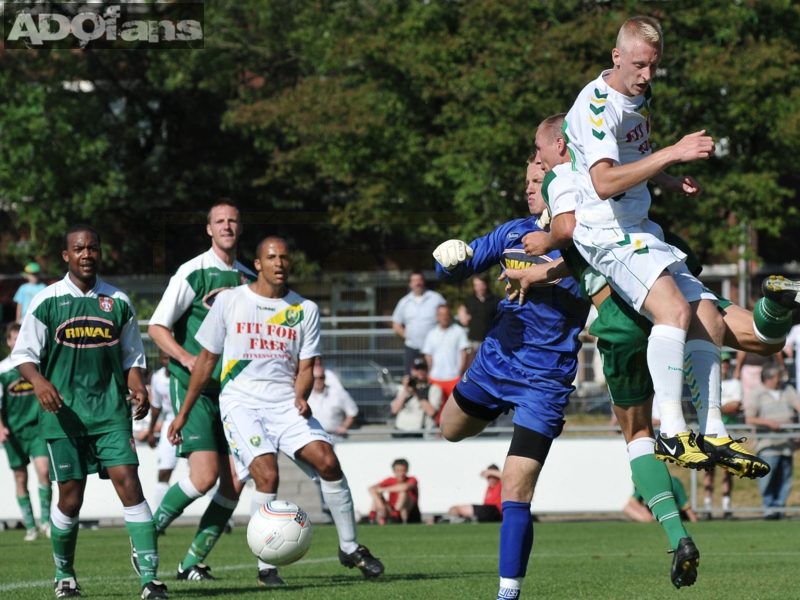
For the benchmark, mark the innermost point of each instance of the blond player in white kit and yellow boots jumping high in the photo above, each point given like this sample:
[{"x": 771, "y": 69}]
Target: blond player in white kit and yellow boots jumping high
[{"x": 608, "y": 133}]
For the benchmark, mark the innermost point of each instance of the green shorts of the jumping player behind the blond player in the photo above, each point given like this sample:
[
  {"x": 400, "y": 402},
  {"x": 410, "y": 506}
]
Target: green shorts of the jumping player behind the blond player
[{"x": 622, "y": 342}]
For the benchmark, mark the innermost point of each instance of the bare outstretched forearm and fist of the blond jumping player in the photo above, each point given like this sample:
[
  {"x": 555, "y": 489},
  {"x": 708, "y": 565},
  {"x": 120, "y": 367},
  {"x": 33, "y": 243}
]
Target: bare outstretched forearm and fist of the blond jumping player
[{"x": 610, "y": 180}]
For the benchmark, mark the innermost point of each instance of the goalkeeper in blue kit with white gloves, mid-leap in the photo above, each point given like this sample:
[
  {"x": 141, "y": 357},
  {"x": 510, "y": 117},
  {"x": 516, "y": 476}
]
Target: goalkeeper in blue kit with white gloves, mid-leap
[{"x": 527, "y": 363}]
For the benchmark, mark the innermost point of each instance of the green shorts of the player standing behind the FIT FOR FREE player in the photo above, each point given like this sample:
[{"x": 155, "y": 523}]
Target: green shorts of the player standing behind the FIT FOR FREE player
[{"x": 203, "y": 430}]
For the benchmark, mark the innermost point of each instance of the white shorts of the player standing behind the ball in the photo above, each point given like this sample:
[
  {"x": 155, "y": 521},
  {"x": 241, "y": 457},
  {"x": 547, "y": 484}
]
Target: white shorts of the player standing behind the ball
[{"x": 252, "y": 432}]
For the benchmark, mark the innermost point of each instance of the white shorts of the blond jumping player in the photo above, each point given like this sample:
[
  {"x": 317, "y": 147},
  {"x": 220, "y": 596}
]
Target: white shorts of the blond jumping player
[{"x": 632, "y": 258}]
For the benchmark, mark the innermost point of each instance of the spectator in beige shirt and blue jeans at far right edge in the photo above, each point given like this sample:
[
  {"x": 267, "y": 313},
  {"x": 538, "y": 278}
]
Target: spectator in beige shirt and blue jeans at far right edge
[{"x": 773, "y": 407}]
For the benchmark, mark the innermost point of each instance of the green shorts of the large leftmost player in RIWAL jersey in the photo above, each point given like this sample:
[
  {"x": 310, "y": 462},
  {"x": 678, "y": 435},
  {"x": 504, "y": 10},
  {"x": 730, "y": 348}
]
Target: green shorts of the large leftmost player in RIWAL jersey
[{"x": 77, "y": 457}]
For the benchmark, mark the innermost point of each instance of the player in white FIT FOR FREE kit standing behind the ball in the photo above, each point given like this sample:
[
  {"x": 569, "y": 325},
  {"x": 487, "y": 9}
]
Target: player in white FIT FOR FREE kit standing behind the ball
[{"x": 268, "y": 337}]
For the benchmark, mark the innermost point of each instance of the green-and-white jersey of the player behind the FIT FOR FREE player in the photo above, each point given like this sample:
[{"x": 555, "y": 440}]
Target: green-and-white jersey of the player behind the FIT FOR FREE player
[{"x": 188, "y": 298}]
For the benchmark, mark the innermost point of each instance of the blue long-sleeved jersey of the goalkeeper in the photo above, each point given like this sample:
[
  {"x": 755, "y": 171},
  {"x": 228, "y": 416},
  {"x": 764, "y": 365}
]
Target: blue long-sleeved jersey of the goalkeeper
[{"x": 543, "y": 332}]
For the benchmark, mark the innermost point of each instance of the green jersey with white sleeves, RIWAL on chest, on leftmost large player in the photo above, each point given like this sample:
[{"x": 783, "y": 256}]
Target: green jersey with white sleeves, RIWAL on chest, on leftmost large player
[{"x": 83, "y": 344}]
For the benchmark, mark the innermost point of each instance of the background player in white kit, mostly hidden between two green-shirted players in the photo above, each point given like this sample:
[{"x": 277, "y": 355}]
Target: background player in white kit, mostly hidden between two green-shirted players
[{"x": 160, "y": 405}]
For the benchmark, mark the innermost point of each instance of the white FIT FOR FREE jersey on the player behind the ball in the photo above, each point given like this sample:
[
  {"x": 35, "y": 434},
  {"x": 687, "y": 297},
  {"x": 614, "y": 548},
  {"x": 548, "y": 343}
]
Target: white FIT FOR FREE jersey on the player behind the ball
[{"x": 261, "y": 340}]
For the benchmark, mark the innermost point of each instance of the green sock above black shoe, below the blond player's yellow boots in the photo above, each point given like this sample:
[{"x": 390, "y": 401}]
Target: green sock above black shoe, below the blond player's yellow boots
[{"x": 651, "y": 478}]
